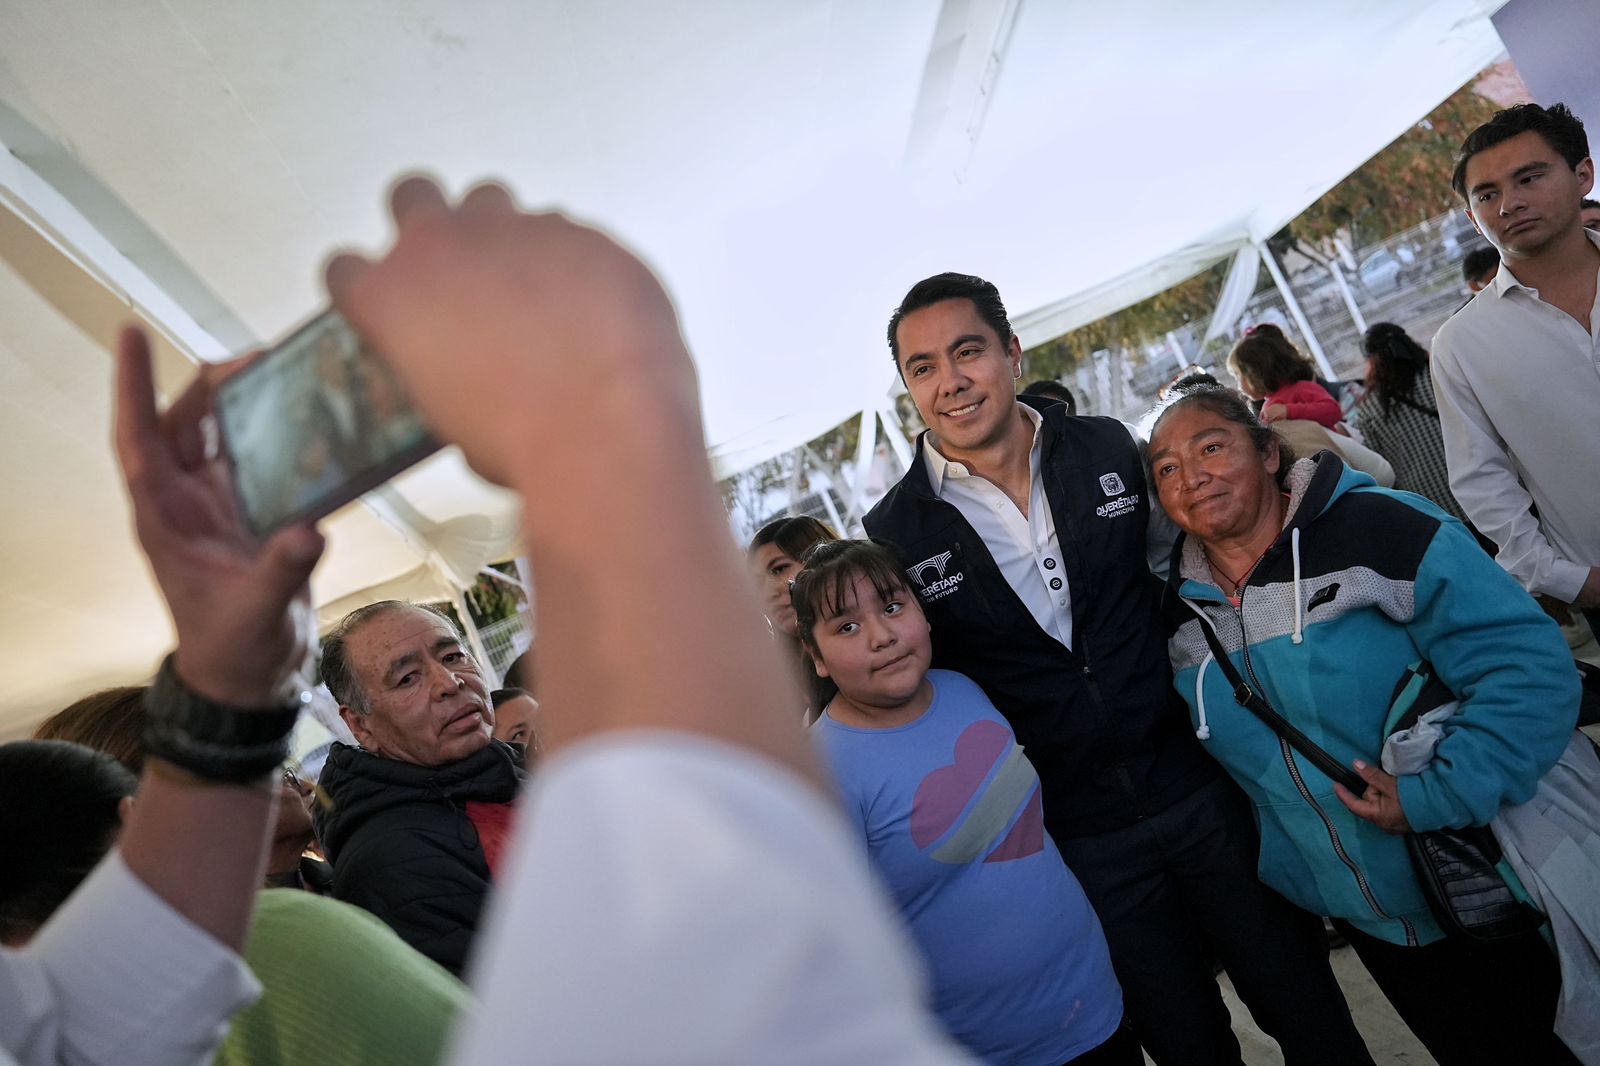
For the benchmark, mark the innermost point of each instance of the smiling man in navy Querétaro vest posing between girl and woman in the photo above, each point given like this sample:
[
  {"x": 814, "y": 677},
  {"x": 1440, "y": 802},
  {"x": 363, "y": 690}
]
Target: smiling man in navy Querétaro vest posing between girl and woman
[{"x": 1025, "y": 534}]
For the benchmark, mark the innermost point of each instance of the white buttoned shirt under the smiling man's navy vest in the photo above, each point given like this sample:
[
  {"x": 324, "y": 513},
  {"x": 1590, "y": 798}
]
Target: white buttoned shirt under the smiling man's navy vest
[{"x": 1025, "y": 548}]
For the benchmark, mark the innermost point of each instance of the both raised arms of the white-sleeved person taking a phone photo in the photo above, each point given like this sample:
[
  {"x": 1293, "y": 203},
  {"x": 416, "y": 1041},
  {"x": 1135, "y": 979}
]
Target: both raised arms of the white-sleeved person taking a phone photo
[{"x": 684, "y": 888}]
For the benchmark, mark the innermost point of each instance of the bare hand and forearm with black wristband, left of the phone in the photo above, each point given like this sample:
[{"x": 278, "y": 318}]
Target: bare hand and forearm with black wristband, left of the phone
[{"x": 242, "y": 612}]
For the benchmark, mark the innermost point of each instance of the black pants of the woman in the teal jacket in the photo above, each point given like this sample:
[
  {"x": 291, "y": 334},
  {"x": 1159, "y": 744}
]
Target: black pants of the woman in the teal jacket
[{"x": 1470, "y": 1003}]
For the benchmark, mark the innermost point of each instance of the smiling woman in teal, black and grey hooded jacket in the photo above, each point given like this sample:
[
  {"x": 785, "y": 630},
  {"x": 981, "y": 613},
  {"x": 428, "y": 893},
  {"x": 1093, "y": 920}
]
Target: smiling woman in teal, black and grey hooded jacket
[{"x": 1324, "y": 591}]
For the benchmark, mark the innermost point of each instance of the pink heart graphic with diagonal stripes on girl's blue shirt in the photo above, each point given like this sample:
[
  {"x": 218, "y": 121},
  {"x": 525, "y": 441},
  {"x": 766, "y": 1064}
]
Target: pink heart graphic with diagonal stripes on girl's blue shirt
[{"x": 970, "y": 808}]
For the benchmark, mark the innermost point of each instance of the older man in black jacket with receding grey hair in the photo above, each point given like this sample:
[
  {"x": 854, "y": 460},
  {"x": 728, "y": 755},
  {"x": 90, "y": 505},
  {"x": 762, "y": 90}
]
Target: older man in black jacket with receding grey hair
[{"x": 418, "y": 812}]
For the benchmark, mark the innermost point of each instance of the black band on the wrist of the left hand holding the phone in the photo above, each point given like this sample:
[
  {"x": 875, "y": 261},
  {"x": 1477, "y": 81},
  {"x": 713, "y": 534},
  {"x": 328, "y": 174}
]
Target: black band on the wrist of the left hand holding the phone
[{"x": 215, "y": 740}]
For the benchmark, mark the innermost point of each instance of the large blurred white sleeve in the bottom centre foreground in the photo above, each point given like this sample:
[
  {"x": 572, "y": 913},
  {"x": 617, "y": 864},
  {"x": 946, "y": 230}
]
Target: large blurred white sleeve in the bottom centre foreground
[{"x": 679, "y": 900}]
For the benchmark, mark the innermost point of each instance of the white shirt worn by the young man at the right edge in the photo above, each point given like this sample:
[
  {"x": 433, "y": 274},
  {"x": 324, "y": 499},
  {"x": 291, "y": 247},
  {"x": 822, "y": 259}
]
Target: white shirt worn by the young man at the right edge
[{"x": 1519, "y": 403}]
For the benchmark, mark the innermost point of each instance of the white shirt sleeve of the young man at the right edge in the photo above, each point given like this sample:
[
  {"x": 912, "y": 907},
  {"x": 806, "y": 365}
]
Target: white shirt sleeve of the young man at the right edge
[{"x": 1489, "y": 489}]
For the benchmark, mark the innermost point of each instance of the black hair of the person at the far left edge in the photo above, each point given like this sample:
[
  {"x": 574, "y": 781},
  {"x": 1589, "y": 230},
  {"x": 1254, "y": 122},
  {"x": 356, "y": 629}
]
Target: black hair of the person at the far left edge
[{"x": 58, "y": 819}]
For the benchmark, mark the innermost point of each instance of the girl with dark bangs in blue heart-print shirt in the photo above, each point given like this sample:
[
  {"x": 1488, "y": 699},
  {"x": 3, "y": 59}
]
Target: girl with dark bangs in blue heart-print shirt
[{"x": 950, "y": 811}]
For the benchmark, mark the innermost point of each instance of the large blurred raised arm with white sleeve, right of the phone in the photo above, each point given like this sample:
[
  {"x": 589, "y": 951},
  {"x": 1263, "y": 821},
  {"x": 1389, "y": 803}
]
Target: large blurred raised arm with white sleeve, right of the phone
[{"x": 684, "y": 888}]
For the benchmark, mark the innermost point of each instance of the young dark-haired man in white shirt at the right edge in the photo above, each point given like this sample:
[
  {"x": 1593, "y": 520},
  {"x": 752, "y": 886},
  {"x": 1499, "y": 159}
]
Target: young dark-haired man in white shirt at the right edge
[{"x": 1518, "y": 371}]
